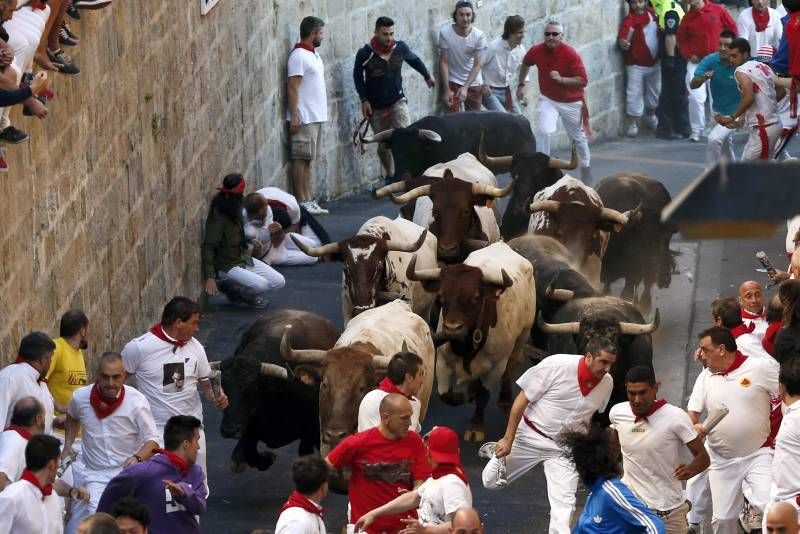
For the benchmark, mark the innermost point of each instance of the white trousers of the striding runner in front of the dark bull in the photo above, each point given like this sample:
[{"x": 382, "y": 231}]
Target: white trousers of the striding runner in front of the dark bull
[{"x": 529, "y": 450}]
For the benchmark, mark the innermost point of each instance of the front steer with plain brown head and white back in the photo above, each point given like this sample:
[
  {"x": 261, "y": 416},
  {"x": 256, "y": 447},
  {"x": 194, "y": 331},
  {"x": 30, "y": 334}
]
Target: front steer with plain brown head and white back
[{"x": 355, "y": 365}]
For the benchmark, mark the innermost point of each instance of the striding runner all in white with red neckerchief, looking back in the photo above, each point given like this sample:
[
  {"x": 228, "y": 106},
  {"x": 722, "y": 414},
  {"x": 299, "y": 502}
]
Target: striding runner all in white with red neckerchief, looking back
[{"x": 558, "y": 395}]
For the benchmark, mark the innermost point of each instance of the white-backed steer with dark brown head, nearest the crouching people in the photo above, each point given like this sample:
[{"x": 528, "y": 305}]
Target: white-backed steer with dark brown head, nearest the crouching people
[{"x": 374, "y": 265}]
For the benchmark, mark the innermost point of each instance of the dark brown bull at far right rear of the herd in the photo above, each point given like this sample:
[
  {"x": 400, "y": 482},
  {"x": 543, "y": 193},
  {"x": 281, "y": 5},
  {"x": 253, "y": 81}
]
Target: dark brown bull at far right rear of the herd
[{"x": 640, "y": 252}]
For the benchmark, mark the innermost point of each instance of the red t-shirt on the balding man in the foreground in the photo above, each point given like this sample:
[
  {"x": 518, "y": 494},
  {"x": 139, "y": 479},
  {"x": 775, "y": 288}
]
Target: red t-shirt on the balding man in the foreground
[{"x": 379, "y": 467}]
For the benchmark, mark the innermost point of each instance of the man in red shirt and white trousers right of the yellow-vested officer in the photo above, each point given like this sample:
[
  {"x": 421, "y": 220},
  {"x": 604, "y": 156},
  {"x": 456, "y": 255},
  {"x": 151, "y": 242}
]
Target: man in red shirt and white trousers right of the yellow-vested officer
[{"x": 697, "y": 37}]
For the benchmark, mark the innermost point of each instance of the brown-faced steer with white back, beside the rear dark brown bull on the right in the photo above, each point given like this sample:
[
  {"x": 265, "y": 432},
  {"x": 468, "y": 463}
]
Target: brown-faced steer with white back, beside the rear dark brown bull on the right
[{"x": 573, "y": 213}]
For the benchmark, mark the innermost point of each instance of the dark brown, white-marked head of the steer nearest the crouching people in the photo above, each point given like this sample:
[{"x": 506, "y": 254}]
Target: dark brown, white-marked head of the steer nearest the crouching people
[{"x": 364, "y": 258}]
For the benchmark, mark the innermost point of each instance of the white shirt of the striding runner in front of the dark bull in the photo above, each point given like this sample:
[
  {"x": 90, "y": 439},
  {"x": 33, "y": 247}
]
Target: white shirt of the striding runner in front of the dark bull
[{"x": 555, "y": 399}]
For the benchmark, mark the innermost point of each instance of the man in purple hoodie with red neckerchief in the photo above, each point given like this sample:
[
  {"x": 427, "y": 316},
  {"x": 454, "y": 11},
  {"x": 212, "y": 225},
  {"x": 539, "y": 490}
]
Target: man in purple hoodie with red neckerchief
[{"x": 170, "y": 484}]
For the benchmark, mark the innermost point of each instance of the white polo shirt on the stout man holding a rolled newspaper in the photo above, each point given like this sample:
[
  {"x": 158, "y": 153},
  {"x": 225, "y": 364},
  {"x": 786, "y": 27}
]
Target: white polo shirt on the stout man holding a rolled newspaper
[{"x": 746, "y": 391}]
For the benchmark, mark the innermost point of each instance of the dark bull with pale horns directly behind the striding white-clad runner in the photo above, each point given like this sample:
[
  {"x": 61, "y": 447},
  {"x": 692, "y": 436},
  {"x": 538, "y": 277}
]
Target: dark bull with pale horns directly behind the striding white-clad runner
[{"x": 583, "y": 319}]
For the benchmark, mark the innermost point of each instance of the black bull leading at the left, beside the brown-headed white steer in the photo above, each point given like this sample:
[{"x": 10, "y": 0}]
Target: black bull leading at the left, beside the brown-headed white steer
[{"x": 268, "y": 401}]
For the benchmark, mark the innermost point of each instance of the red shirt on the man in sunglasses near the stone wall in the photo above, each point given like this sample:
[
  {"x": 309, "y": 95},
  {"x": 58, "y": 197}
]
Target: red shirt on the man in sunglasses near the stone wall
[{"x": 563, "y": 59}]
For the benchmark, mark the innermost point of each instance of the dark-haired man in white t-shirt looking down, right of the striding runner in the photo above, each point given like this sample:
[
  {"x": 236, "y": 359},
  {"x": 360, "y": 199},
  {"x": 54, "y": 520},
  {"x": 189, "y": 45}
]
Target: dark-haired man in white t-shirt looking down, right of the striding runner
[{"x": 651, "y": 436}]
